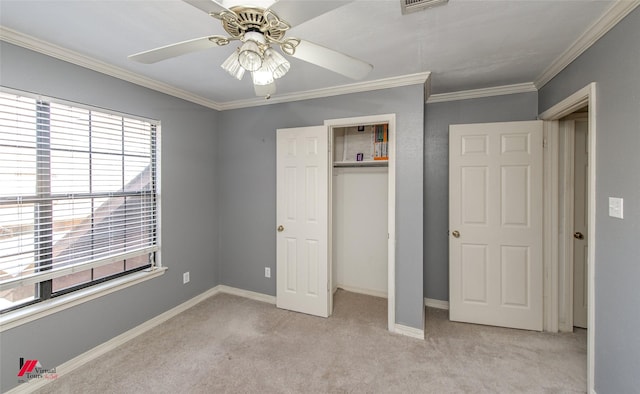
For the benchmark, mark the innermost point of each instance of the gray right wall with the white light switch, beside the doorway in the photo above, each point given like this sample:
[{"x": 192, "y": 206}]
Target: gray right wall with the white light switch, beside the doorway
[{"x": 614, "y": 64}]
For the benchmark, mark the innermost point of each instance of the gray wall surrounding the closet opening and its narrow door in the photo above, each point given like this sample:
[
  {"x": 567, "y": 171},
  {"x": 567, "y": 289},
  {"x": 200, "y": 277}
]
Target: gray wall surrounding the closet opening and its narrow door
[{"x": 247, "y": 181}]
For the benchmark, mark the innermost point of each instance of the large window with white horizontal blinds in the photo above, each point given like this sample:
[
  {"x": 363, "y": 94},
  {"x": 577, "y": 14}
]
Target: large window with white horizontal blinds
[{"x": 78, "y": 197}]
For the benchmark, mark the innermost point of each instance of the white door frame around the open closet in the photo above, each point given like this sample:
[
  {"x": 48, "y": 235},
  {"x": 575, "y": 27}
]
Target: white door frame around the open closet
[{"x": 390, "y": 119}]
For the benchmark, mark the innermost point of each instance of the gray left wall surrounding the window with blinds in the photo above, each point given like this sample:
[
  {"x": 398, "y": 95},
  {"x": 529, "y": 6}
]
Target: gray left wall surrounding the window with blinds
[{"x": 188, "y": 181}]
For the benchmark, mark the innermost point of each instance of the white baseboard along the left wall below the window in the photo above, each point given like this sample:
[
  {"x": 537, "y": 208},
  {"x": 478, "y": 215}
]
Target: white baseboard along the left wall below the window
[{"x": 80, "y": 360}]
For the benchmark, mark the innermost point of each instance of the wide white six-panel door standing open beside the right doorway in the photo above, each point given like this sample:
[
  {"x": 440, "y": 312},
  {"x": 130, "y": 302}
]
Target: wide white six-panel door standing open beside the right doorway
[{"x": 495, "y": 219}]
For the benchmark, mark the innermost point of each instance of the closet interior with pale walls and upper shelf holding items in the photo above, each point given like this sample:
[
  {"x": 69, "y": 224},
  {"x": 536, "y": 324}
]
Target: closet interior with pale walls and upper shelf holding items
[{"x": 359, "y": 210}]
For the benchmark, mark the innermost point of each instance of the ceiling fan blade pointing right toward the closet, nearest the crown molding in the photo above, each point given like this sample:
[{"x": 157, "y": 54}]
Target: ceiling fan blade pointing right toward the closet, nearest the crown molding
[{"x": 332, "y": 60}]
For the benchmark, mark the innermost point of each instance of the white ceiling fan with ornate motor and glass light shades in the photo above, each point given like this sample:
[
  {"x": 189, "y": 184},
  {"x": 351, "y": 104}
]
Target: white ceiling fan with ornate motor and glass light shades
[{"x": 261, "y": 29}]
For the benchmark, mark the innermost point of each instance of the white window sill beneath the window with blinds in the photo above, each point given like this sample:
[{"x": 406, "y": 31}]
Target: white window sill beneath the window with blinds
[{"x": 30, "y": 313}]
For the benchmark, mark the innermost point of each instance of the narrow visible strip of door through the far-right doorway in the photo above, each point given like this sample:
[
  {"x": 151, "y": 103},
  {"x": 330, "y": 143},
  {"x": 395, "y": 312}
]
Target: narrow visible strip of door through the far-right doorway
[{"x": 580, "y": 247}]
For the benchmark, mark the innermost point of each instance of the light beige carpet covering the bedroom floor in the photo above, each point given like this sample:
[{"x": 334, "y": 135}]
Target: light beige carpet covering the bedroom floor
[{"x": 228, "y": 344}]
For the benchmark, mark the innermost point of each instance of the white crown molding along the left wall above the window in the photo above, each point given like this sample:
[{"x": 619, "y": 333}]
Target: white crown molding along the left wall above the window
[{"x": 14, "y": 37}]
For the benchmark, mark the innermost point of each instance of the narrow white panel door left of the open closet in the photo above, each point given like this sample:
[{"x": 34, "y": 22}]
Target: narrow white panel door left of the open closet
[{"x": 302, "y": 220}]
